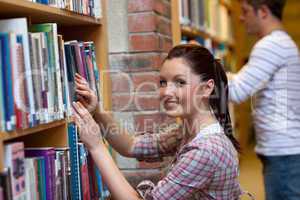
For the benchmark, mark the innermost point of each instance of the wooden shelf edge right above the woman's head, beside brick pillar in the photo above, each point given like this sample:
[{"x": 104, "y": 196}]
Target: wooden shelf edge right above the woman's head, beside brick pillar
[{"x": 194, "y": 32}]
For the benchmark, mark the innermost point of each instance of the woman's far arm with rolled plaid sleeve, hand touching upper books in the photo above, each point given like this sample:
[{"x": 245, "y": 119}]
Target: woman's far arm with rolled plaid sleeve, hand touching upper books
[{"x": 127, "y": 144}]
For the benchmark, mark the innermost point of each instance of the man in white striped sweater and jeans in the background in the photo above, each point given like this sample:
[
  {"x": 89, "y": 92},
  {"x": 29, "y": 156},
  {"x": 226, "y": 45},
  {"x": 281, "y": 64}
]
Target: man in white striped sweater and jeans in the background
[{"x": 272, "y": 78}]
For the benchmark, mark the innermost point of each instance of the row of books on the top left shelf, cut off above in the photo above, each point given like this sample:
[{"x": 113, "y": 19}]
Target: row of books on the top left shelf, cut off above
[{"x": 86, "y": 7}]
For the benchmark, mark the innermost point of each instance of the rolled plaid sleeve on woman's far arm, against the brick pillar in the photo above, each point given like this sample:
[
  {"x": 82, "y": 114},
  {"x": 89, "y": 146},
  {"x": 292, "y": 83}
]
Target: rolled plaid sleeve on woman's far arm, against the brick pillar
[{"x": 149, "y": 146}]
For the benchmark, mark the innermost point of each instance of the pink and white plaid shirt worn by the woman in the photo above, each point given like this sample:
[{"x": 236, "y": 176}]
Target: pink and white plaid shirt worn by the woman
[{"x": 204, "y": 168}]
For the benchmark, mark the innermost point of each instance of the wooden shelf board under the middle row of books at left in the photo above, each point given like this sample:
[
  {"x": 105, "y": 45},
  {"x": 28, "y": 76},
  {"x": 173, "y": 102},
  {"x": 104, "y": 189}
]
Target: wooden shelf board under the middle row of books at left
[{"x": 5, "y": 136}]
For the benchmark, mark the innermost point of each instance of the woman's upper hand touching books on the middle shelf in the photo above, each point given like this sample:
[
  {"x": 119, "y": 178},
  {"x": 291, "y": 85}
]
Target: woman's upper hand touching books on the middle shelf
[{"x": 85, "y": 95}]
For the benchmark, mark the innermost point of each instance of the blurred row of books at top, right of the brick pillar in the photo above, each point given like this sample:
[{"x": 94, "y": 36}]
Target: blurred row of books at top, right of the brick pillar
[{"x": 210, "y": 16}]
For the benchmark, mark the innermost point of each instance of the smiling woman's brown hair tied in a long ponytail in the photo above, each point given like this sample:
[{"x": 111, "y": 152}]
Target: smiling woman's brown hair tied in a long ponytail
[{"x": 203, "y": 63}]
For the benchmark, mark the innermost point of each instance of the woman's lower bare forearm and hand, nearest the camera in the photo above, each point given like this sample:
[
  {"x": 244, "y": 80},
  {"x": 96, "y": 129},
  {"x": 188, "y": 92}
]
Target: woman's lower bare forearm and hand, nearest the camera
[{"x": 90, "y": 135}]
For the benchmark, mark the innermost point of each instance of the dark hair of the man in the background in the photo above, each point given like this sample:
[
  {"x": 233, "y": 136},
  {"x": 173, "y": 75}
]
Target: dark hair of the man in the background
[{"x": 275, "y": 6}]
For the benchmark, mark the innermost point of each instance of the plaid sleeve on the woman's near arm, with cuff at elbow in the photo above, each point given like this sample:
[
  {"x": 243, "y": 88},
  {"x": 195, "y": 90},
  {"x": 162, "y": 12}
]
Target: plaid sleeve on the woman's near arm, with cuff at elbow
[{"x": 192, "y": 172}]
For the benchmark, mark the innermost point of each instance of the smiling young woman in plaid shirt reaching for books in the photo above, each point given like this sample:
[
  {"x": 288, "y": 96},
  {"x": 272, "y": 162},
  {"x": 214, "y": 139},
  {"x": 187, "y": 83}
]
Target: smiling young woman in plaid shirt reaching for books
[{"x": 193, "y": 87}]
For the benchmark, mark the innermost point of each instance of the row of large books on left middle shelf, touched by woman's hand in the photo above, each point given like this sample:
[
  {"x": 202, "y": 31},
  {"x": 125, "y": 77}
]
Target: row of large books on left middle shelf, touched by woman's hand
[{"x": 37, "y": 72}]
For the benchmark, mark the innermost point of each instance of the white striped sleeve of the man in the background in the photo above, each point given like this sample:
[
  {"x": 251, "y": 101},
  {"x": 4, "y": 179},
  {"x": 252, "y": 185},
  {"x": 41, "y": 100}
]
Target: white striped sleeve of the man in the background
[{"x": 264, "y": 61}]
